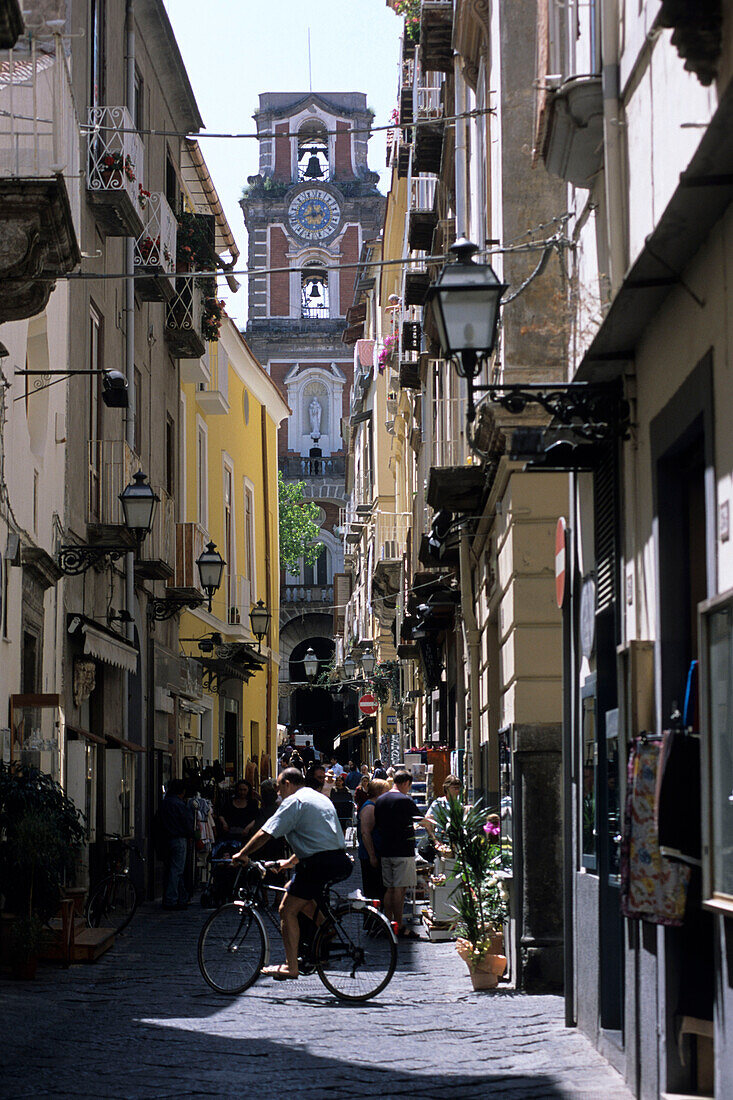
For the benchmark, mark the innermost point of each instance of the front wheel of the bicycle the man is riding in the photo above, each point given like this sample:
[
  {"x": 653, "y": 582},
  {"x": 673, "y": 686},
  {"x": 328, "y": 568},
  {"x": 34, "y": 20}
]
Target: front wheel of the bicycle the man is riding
[{"x": 232, "y": 949}]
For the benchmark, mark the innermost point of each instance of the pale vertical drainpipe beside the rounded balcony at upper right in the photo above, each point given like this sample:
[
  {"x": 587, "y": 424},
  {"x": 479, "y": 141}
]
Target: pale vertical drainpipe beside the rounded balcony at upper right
[{"x": 615, "y": 174}]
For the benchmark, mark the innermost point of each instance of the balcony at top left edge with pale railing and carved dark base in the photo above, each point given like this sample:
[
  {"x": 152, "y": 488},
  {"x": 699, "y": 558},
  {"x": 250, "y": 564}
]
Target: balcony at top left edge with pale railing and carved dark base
[{"x": 39, "y": 239}]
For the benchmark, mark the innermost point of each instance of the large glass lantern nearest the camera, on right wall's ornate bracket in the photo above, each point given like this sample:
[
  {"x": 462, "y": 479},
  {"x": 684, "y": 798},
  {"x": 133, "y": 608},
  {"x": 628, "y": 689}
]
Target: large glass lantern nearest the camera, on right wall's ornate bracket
[{"x": 466, "y": 300}]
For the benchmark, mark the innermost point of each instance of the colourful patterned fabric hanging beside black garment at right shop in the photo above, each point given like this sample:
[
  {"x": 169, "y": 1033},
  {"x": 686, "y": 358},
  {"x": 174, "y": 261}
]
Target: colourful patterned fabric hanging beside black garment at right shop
[{"x": 652, "y": 888}]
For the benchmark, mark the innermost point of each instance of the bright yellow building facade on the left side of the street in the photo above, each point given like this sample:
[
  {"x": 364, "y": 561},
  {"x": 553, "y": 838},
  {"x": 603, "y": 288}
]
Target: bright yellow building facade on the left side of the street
[{"x": 231, "y": 414}]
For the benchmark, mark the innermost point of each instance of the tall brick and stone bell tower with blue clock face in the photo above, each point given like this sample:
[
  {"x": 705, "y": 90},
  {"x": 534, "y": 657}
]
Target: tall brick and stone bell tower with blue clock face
[{"x": 309, "y": 214}]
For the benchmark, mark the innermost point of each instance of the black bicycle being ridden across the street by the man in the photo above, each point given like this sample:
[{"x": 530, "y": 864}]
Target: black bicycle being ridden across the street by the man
[{"x": 354, "y": 952}]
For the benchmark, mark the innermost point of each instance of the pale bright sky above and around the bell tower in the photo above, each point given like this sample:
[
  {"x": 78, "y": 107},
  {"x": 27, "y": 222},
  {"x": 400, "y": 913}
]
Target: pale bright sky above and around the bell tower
[{"x": 234, "y": 50}]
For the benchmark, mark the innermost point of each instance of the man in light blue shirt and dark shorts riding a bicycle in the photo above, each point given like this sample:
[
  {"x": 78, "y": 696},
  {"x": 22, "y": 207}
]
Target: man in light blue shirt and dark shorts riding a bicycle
[{"x": 310, "y": 823}]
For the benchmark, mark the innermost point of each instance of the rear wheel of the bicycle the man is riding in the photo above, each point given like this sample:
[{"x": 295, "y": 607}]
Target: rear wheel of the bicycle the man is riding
[{"x": 356, "y": 954}]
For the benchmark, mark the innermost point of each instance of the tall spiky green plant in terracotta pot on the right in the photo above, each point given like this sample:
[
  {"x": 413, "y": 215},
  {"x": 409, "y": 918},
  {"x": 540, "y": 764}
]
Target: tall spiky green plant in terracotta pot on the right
[{"x": 482, "y": 907}]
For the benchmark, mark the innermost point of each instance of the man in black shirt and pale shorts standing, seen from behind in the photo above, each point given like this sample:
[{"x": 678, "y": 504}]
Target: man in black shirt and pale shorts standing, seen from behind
[{"x": 395, "y": 820}]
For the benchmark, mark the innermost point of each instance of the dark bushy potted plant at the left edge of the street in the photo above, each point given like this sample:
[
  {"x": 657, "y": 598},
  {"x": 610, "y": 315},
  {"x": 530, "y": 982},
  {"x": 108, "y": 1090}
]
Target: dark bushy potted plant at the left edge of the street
[{"x": 41, "y": 833}]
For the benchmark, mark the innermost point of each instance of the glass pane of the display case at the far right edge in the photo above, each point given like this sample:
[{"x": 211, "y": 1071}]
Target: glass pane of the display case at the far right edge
[{"x": 721, "y": 738}]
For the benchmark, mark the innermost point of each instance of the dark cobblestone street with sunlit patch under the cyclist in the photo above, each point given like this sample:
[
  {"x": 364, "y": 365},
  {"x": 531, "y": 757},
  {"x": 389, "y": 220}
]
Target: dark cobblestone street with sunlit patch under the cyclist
[{"x": 143, "y": 1024}]
